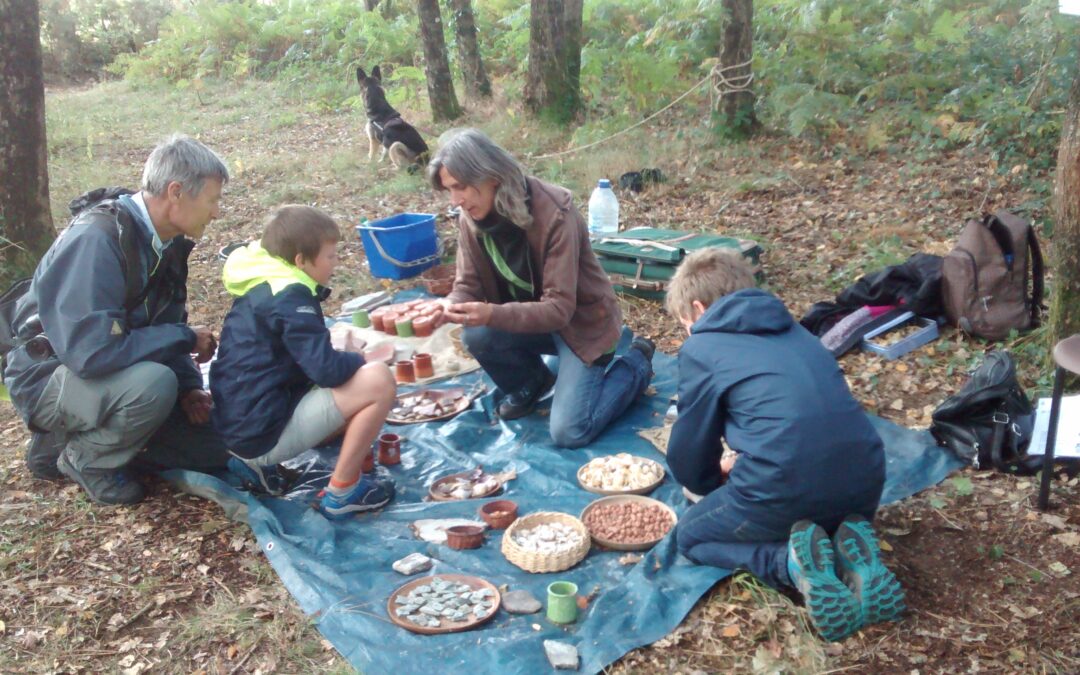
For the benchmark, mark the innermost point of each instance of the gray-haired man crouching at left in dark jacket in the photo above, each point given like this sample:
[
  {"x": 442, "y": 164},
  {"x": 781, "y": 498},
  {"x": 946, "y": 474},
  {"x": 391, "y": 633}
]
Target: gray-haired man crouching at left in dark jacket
[{"x": 103, "y": 371}]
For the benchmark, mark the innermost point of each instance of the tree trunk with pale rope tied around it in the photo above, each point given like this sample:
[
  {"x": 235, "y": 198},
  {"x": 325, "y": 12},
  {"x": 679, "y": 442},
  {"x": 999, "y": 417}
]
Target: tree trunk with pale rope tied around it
[{"x": 736, "y": 72}]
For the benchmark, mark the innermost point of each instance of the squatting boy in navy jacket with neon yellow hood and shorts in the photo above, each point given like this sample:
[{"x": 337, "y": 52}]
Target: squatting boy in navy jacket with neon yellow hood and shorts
[{"x": 280, "y": 388}]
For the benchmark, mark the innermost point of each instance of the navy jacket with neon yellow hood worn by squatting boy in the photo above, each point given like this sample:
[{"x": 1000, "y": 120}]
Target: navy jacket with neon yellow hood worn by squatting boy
[{"x": 275, "y": 347}]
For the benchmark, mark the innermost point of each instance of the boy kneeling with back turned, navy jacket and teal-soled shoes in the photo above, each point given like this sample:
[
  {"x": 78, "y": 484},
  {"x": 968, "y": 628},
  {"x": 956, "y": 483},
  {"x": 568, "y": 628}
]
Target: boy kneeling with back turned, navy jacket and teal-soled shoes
[{"x": 804, "y": 460}]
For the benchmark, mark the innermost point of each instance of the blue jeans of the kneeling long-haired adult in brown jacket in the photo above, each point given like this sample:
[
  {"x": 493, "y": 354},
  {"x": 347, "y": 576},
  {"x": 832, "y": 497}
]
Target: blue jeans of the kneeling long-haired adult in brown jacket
[{"x": 587, "y": 398}]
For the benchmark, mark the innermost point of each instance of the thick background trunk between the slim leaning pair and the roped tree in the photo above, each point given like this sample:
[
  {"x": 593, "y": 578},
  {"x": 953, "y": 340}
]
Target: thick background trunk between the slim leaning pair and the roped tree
[{"x": 552, "y": 86}]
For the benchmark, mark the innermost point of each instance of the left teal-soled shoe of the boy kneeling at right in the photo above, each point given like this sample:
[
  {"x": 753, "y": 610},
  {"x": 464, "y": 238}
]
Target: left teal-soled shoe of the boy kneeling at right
[{"x": 834, "y": 610}]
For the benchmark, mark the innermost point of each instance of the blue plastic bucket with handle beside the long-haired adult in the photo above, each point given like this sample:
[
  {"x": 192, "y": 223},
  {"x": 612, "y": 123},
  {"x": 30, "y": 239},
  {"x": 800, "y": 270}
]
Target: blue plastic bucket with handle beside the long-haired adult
[{"x": 400, "y": 247}]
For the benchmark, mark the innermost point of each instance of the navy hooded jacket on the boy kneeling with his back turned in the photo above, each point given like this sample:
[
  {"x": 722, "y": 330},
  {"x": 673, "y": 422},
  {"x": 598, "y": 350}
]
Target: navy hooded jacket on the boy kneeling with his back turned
[{"x": 753, "y": 376}]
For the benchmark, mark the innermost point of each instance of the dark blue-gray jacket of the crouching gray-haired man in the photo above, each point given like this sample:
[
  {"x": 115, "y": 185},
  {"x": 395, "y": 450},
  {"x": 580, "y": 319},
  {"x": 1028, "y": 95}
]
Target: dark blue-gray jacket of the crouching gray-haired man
[{"x": 105, "y": 303}]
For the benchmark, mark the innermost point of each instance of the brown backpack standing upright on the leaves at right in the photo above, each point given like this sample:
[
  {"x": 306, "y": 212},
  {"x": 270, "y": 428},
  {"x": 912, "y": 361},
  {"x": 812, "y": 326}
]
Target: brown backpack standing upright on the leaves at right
[{"x": 992, "y": 281}]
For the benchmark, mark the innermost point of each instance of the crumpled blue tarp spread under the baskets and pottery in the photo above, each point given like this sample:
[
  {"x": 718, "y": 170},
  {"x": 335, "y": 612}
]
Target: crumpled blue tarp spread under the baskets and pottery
[{"x": 340, "y": 572}]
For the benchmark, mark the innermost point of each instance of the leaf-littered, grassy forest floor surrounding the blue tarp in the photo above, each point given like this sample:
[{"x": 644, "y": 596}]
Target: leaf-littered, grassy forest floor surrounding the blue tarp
[{"x": 172, "y": 585}]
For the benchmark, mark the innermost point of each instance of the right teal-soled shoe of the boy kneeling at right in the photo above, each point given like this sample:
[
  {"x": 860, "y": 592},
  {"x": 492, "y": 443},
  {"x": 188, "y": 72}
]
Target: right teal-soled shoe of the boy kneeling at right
[{"x": 860, "y": 566}]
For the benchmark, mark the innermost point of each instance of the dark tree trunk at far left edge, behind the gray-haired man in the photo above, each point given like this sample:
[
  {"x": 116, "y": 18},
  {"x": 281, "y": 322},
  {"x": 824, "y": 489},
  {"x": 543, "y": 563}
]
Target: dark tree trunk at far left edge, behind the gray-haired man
[{"x": 26, "y": 224}]
